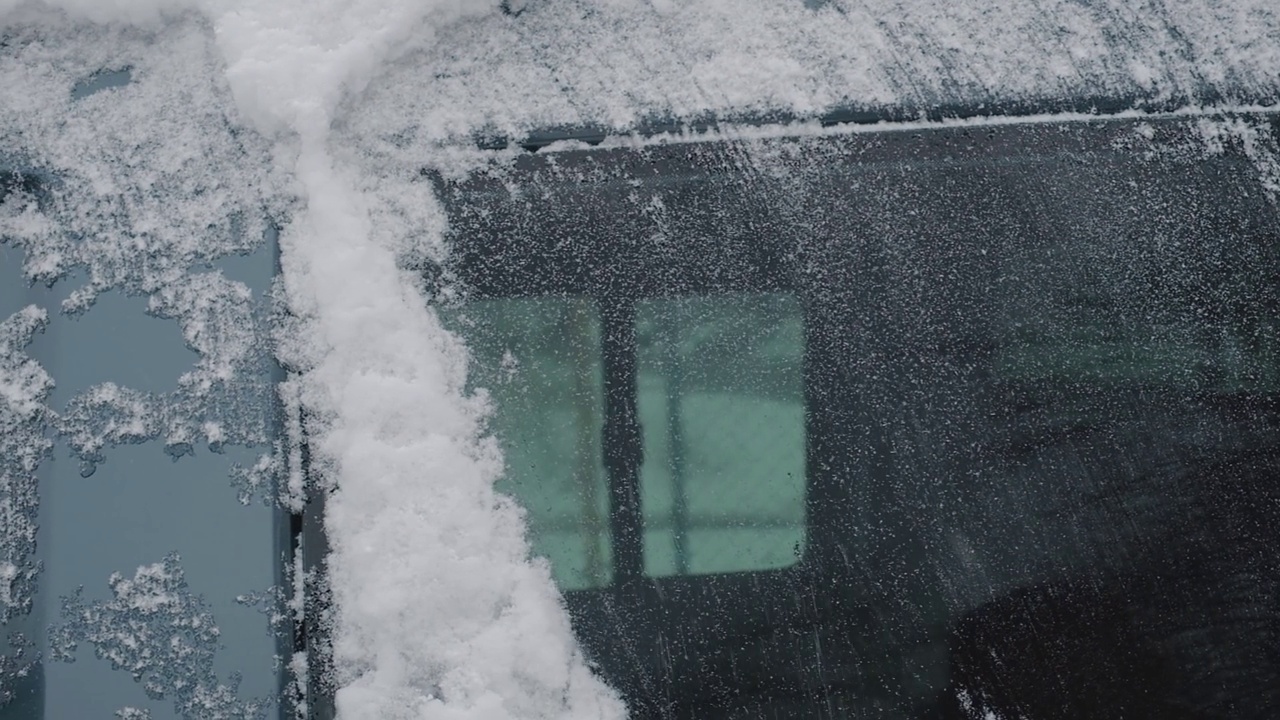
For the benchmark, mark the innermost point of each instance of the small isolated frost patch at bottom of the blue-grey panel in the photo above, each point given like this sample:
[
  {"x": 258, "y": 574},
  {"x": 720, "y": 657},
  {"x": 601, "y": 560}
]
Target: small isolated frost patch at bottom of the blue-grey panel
[{"x": 161, "y": 634}]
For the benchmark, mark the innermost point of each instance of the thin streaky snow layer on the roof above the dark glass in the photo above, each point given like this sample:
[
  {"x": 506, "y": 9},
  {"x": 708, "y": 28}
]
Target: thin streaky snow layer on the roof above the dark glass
[{"x": 616, "y": 63}]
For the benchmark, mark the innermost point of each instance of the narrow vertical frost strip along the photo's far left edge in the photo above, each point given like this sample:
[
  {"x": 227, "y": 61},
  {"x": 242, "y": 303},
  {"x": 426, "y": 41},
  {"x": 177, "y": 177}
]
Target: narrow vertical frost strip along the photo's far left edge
[{"x": 25, "y": 389}]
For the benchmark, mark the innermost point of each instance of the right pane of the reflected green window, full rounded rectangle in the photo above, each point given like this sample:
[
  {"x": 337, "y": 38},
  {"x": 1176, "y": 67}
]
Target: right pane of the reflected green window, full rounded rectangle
[{"x": 721, "y": 403}]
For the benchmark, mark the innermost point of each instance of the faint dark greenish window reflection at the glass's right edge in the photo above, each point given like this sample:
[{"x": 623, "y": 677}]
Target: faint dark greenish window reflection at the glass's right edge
[{"x": 1180, "y": 321}]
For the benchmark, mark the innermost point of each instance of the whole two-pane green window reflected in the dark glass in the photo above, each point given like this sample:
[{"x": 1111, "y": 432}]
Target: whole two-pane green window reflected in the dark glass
[{"x": 720, "y": 400}]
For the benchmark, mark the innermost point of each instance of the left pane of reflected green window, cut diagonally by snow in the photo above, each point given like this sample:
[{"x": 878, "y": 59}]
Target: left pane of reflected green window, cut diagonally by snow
[{"x": 541, "y": 363}]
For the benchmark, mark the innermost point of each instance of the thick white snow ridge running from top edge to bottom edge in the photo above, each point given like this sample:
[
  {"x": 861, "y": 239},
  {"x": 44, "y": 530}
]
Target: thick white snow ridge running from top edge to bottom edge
[{"x": 438, "y": 610}]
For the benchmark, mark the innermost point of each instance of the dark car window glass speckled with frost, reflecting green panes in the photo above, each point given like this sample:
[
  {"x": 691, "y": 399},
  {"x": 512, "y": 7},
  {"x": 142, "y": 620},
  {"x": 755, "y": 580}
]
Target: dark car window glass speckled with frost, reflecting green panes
[{"x": 958, "y": 423}]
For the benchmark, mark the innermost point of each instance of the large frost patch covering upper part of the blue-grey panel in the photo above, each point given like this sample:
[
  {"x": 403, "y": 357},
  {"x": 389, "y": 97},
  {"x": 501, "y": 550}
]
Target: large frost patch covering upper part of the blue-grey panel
[{"x": 141, "y": 189}]
